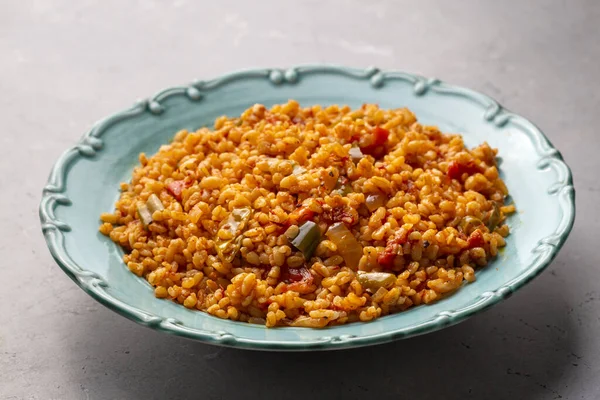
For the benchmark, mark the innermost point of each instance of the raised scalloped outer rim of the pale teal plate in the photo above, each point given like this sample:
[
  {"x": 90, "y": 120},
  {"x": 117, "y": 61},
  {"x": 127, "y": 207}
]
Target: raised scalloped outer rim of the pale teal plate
[{"x": 54, "y": 195}]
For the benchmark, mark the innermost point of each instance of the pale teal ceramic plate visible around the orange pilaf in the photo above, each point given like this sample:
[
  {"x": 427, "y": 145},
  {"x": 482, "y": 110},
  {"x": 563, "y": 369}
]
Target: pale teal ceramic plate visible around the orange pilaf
[{"x": 85, "y": 180}]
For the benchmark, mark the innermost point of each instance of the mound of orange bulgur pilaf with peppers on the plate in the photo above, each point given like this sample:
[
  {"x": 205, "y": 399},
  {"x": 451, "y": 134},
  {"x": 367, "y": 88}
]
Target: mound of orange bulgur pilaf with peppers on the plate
[{"x": 311, "y": 216}]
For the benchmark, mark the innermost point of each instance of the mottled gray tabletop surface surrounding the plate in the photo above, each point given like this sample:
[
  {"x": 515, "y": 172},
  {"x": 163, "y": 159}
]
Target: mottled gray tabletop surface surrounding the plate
[{"x": 65, "y": 64}]
